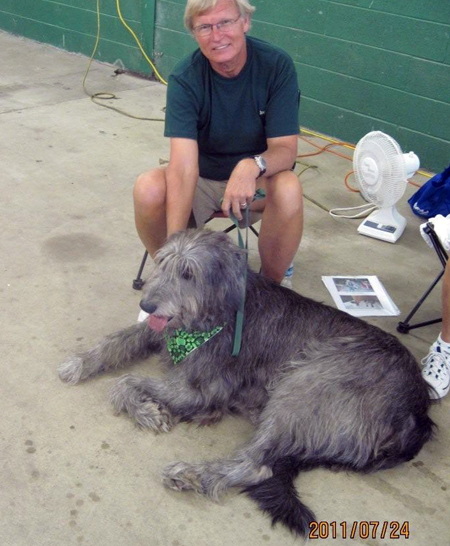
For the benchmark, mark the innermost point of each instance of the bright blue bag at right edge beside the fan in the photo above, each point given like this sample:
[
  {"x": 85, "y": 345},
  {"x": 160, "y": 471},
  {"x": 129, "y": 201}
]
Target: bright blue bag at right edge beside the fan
[{"x": 433, "y": 197}]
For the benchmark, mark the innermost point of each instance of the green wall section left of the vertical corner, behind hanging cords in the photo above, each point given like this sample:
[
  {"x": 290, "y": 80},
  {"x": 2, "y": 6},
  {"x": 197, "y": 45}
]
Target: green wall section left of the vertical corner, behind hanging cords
[{"x": 72, "y": 25}]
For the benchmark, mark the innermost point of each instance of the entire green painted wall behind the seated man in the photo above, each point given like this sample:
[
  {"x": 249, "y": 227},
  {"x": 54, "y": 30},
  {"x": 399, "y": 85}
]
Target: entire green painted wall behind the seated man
[{"x": 362, "y": 64}]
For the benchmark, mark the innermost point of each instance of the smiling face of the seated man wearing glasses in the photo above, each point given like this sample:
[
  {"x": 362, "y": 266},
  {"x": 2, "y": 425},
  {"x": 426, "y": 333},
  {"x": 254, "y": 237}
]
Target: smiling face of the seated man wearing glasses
[{"x": 223, "y": 46}]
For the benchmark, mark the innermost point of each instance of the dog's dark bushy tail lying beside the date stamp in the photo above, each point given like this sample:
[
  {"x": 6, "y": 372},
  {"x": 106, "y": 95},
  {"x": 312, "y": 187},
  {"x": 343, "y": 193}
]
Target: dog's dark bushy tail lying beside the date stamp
[{"x": 278, "y": 497}]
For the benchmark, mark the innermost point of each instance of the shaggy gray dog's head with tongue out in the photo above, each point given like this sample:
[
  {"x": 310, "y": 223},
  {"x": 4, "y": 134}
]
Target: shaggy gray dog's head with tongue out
[{"x": 198, "y": 281}]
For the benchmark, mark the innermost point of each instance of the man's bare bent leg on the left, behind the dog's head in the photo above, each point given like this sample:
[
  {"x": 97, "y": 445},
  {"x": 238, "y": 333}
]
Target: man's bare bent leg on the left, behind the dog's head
[{"x": 149, "y": 197}]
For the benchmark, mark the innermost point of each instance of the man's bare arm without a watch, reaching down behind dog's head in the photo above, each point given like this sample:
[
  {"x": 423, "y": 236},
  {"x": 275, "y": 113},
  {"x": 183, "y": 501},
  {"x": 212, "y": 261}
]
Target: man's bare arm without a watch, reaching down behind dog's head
[{"x": 181, "y": 178}]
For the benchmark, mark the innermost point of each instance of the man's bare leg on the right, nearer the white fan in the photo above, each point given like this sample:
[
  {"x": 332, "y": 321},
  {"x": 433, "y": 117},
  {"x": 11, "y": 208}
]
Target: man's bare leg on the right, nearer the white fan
[{"x": 282, "y": 224}]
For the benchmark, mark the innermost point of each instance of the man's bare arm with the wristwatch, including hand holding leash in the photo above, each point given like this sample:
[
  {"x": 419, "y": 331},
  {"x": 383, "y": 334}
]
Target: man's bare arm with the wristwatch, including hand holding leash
[{"x": 279, "y": 156}]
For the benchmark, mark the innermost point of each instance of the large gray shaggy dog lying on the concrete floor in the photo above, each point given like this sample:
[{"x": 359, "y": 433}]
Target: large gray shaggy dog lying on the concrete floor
[{"x": 321, "y": 387}]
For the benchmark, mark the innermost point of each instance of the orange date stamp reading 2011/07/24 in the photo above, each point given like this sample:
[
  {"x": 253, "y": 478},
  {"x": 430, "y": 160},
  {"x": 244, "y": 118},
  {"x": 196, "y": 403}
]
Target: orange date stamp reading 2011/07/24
[{"x": 359, "y": 529}]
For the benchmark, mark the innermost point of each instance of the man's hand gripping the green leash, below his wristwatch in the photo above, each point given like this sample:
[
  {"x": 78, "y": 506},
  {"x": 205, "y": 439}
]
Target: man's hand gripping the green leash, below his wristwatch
[{"x": 240, "y": 188}]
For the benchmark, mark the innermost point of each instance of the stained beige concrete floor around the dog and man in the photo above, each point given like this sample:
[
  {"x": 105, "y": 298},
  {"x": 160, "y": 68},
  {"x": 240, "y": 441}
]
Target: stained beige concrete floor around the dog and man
[{"x": 71, "y": 471}]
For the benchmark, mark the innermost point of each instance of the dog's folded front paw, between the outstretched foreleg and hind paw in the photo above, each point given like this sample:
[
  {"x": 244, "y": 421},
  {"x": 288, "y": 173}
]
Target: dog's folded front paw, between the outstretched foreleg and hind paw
[{"x": 128, "y": 396}]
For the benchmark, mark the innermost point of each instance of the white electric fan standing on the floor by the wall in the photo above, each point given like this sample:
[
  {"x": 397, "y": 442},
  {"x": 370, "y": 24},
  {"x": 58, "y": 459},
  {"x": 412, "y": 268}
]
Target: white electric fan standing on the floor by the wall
[{"x": 382, "y": 171}]
